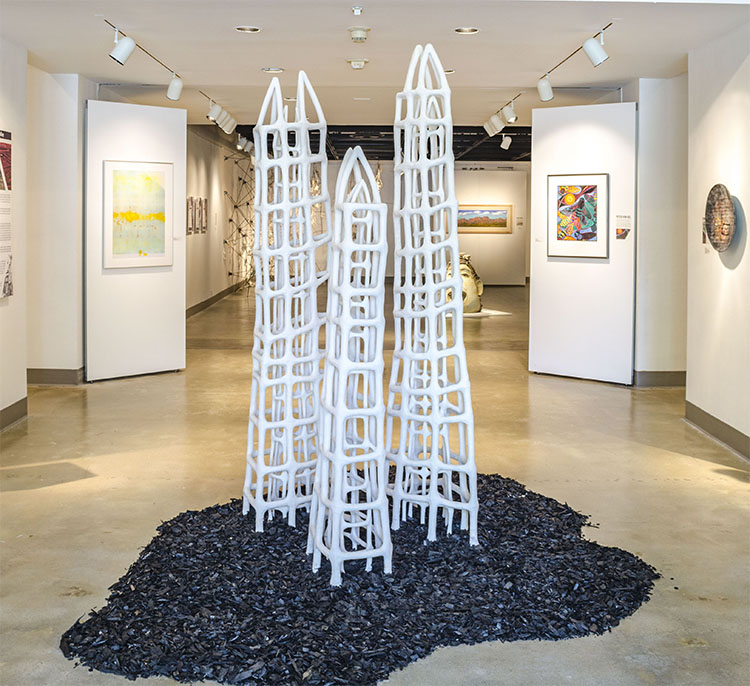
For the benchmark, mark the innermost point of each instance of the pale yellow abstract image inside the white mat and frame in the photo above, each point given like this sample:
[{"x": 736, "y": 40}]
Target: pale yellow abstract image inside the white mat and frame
[{"x": 138, "y": 213}]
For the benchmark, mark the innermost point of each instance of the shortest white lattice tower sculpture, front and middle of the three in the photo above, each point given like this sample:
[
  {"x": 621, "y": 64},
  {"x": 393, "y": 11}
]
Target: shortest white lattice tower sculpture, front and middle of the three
[{"x": 349, "y": 515}]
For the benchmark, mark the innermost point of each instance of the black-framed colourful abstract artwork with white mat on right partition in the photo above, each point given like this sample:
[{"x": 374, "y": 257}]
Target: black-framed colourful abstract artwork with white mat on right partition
[{"x": 578, "y": 215}]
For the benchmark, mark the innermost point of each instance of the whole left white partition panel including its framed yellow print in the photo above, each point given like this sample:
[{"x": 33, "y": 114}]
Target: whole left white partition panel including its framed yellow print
[{"x": 134, "y": 240}]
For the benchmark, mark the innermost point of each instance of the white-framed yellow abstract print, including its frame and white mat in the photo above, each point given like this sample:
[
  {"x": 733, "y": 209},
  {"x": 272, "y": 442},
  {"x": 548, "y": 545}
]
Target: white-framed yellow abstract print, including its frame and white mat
[{"x": 138, "y": 214}]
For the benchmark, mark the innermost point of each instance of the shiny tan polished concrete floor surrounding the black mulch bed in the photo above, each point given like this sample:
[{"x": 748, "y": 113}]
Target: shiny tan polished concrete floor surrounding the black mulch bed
[{"x": 94, "y": 469}]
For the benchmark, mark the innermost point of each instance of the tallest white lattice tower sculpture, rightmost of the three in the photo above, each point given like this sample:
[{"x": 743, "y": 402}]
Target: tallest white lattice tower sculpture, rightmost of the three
[{"x": 430, "y": 422}]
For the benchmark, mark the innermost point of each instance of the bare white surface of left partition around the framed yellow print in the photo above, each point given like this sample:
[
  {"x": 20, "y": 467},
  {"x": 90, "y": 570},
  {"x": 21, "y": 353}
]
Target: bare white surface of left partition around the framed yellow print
[{"x": 134, "y": 317}]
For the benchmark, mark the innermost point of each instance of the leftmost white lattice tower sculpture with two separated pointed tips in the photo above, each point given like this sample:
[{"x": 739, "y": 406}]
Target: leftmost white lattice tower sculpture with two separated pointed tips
[{"x": 285, "y": 399}]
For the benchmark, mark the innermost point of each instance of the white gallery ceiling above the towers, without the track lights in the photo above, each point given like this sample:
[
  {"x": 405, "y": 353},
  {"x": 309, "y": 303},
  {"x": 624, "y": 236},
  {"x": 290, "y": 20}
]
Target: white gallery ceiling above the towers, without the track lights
[{"x": 517, "y": 43}]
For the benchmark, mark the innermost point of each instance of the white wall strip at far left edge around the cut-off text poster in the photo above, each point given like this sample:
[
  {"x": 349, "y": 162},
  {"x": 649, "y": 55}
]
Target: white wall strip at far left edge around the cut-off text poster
[{"x": 13, "y": 309}]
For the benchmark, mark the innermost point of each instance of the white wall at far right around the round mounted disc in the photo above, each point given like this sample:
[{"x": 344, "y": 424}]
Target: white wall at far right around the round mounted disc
[{"x": 718, "y": 321}]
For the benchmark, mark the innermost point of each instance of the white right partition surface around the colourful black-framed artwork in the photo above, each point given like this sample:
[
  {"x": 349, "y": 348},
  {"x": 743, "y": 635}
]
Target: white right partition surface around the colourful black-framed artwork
[{"x": 581, "y": 319}]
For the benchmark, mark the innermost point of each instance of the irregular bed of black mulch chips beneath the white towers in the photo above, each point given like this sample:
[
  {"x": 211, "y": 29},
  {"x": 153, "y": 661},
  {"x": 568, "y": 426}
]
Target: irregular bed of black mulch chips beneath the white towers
[{"x": 209, "y": 598}]
